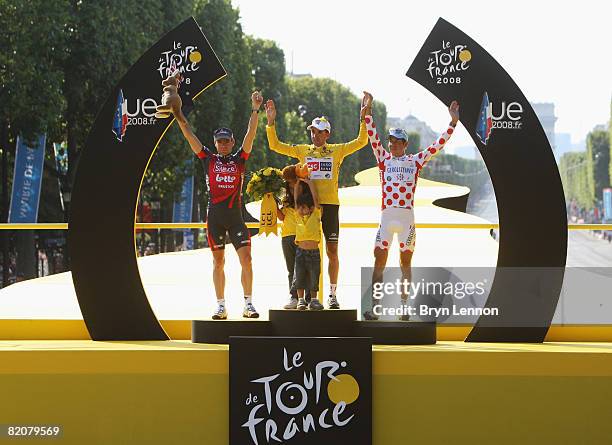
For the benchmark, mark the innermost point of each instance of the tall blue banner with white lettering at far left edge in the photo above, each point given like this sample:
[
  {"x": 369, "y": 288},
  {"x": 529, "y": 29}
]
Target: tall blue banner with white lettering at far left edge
[{"x": 27, "y": 179}]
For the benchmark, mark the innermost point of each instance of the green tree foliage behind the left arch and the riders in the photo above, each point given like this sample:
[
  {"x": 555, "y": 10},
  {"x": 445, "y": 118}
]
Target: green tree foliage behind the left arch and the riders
[{"x": 59, "y": 61}]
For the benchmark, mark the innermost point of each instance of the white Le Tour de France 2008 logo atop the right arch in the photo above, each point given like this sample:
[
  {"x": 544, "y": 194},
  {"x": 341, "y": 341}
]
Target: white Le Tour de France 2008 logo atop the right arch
[{"x": 447, "y": 63}]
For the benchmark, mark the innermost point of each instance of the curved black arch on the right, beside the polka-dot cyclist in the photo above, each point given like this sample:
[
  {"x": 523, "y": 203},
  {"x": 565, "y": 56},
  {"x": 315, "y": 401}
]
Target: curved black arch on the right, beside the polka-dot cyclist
[{"x": 530, "y": 199}]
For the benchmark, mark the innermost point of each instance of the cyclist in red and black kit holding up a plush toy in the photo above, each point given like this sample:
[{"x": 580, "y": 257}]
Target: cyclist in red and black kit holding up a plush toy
[{"x": 224, "y": 177}]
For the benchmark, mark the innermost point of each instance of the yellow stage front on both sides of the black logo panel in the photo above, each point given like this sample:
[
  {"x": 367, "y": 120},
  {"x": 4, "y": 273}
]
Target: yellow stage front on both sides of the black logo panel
[{"x": 177, "y": 392}]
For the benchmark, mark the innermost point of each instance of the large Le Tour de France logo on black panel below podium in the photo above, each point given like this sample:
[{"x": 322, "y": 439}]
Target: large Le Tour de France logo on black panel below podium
[{"x": 303, "y": 399}]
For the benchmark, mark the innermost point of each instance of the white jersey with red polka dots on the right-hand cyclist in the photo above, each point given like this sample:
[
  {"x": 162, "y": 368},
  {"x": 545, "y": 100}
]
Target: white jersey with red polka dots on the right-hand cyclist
[{"x": 399, "y": 175}]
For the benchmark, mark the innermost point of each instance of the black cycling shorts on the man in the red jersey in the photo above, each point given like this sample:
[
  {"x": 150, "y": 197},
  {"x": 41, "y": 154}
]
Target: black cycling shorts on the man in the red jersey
[{"x": 223, "y": 221}]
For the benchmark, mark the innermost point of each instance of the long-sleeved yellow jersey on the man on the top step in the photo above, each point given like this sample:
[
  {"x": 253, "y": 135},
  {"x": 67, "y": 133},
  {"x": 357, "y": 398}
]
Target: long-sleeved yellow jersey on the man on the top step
[{"x": 324, "y": 161}]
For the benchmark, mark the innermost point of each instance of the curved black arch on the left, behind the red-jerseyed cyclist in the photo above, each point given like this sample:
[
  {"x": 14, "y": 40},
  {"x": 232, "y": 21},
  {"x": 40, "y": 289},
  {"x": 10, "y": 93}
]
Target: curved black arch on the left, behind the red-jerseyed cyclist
[{"x": 108, "y": 180}]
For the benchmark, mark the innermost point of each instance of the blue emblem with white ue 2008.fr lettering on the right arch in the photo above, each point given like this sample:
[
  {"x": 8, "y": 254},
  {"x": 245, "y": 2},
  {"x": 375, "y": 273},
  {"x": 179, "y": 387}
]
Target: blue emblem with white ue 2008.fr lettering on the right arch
[{"x": 509, "y": 118}]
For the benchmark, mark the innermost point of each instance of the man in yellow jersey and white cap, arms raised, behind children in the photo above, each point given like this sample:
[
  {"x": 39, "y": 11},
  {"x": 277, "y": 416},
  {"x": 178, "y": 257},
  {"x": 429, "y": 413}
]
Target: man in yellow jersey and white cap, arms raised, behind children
[{"x": 324, "y": 161}]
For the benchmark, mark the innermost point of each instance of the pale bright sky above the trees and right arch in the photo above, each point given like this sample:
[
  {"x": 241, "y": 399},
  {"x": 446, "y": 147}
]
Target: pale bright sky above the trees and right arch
[{"x": 554, "y": 52}]
